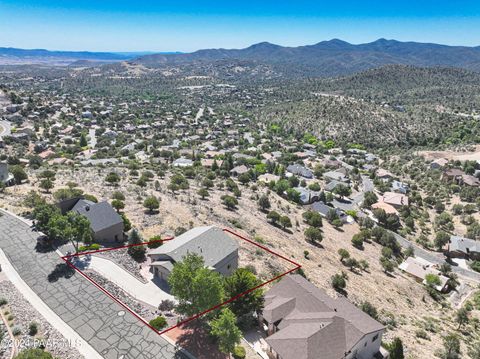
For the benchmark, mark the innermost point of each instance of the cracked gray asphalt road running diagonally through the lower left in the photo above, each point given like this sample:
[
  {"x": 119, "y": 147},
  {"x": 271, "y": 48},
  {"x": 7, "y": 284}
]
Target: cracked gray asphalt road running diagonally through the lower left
[{"x": 103, "y": 323}]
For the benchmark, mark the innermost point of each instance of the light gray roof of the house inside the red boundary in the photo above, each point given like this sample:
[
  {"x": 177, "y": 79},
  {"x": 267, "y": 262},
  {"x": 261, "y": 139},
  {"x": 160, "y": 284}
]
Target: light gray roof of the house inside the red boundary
[{"x": 212, "y": 243}]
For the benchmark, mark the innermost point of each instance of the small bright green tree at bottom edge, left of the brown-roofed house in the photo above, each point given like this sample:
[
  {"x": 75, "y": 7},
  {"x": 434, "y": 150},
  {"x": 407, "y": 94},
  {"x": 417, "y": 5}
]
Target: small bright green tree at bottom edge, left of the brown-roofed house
[{"x": 226, "y": 331}]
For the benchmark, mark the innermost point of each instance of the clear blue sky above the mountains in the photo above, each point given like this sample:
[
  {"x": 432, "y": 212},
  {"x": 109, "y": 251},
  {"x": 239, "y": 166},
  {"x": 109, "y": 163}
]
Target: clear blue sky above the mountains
[{"x": 189, "y": 25}]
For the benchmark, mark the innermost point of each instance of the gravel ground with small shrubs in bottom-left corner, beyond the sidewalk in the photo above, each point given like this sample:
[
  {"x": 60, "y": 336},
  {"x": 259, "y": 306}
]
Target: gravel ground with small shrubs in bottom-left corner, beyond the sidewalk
[{"x": 24, "y": 314}]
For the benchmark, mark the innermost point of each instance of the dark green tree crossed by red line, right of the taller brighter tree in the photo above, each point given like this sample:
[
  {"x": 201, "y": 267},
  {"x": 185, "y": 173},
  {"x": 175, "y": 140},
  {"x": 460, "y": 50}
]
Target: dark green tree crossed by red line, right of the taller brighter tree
[{"x": 241, "y": 281}]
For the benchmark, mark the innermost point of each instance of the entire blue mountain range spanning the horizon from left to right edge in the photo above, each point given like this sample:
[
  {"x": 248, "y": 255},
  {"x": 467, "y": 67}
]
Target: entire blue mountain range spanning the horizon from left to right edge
[{"x": 327, "y": 58}]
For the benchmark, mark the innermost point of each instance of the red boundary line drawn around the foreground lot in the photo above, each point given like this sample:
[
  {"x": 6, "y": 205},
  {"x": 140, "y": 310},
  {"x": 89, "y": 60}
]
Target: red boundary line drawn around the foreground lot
[{"x": 70, "y": 264}]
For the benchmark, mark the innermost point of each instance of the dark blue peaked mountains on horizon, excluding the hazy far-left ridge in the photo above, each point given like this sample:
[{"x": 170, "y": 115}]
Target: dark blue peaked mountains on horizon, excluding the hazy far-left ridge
[{"x": 334, "y": 57}]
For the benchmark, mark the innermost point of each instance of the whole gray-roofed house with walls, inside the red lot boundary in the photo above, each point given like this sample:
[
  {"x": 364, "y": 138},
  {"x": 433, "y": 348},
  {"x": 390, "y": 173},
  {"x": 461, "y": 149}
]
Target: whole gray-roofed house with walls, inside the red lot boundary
[{"x": 219, "y": 251}]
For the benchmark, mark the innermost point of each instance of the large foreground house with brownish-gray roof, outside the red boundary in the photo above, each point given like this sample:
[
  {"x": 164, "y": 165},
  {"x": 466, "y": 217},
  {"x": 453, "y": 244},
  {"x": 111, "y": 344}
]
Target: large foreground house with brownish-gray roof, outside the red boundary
[{"x": 303, "y": 322}]
